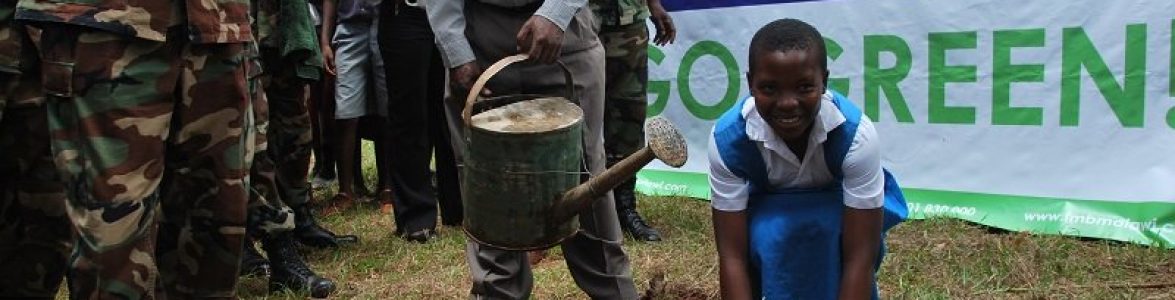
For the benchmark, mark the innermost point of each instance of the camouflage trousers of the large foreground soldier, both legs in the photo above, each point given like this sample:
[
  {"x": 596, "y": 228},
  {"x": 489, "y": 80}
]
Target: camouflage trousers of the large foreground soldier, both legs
[{"x": 129, "y": 117}]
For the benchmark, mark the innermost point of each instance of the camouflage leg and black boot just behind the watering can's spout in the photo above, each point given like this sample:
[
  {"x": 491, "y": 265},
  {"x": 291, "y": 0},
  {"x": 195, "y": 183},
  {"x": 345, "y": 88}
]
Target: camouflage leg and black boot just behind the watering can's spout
[{"x": 626, "y": 49}]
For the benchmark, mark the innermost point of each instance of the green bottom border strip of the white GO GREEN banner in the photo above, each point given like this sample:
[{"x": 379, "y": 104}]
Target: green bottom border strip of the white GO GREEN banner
[{"x": 1147, "y": 223}]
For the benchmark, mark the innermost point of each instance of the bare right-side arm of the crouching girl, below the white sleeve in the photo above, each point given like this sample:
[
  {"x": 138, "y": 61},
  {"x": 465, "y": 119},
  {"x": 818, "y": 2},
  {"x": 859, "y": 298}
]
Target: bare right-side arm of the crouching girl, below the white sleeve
[{"x": 861, "y": 239}]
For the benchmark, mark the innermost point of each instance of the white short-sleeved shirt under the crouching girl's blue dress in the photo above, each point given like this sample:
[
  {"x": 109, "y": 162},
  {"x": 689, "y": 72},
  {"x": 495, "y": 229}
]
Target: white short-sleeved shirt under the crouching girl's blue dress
[{"x": 863, "y": 184}]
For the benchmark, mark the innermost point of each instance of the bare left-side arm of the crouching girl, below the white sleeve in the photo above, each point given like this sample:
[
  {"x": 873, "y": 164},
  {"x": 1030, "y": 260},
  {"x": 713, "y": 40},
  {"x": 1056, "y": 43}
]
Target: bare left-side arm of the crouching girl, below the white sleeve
[{"x": 730, "y": 236}]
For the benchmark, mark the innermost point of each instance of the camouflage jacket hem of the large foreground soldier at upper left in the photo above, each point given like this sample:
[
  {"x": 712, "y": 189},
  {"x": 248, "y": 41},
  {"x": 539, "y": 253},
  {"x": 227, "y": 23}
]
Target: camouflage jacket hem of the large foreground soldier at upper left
[{"x": 207, "y": 22}]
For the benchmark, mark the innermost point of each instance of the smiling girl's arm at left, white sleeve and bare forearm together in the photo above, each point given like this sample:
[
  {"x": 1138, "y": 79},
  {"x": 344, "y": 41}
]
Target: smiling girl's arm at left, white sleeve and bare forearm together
[{"x": 729, "y": 197}]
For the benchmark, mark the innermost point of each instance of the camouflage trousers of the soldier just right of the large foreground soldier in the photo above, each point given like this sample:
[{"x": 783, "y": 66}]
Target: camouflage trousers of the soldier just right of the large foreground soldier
[{"x": 283, "y": 156}]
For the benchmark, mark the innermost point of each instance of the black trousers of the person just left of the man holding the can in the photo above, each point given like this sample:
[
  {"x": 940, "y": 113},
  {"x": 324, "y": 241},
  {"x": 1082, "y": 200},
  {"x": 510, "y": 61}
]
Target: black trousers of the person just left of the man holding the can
[{"x": 415, "y": 79}]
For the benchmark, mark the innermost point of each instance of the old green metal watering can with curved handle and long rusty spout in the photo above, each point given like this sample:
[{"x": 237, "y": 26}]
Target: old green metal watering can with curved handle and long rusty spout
[{"x": 523, "y": 155}]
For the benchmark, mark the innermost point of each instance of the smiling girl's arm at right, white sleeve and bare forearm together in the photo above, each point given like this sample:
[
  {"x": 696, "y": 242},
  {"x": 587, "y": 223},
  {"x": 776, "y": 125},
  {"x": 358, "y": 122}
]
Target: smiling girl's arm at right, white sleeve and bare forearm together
[{"x": 864, "y": 191}]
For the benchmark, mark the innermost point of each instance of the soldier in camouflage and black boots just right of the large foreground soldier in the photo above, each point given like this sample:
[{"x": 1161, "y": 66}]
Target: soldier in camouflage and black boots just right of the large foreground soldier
[{"x": 281, "y": 135}]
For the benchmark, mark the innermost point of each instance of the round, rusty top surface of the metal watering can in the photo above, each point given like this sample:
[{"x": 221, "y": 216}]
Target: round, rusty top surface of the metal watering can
[{"x": 542, "y": 115}]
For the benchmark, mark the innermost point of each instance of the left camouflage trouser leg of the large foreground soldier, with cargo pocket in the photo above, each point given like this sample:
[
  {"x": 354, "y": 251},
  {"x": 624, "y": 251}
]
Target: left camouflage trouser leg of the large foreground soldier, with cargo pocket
[{"x": 110, "y": 105}]
